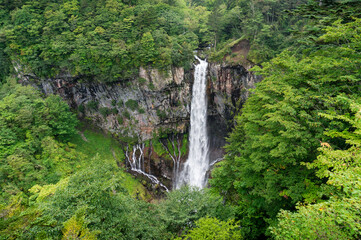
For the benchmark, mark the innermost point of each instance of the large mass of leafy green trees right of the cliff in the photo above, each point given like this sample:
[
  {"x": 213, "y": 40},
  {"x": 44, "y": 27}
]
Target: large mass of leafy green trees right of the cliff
[{"x": 308, "y": 99}]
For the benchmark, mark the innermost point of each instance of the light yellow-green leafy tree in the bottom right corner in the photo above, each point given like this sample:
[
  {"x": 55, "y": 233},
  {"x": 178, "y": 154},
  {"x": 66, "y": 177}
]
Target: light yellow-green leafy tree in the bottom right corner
[{"x": 337, "y": 217}]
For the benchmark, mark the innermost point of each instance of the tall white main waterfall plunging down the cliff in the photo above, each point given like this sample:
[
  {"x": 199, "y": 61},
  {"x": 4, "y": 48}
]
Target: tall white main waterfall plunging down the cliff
[{"x": 195, "y": 169}]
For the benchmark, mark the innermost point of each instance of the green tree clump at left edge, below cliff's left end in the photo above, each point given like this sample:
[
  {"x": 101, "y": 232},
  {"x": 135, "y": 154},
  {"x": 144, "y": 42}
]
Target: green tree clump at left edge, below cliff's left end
[{"x": 33, "y": 132}]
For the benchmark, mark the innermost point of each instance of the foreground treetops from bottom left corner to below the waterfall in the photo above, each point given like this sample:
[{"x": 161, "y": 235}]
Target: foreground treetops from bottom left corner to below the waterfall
[{"x": 93, "y": 203}]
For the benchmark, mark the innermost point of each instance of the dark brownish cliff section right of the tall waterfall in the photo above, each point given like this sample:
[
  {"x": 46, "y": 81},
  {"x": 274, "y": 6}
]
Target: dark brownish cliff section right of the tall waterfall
[{"x": 228, "y": 89}]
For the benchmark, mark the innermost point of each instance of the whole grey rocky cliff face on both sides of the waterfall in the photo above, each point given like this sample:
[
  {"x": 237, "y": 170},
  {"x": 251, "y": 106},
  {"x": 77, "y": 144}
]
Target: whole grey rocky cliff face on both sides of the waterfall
[{"x": 154, "y": 109}]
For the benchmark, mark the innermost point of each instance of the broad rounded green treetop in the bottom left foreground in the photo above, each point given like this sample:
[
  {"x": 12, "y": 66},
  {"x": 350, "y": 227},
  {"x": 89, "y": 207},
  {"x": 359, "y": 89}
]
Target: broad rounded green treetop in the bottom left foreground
[{"x": 92, "y": 202}]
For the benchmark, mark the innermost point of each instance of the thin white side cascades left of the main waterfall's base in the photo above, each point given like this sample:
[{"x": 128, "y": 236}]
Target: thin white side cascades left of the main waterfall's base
[{"x": 136, "y": 161}]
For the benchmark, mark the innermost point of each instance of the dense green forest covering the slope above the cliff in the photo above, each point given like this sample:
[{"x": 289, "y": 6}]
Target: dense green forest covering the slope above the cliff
[{"x": 108, "y": 40}]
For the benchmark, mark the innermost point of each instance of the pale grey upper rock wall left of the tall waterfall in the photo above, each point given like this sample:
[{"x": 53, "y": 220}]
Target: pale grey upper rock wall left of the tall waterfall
[{"x": 138, "y": 108}]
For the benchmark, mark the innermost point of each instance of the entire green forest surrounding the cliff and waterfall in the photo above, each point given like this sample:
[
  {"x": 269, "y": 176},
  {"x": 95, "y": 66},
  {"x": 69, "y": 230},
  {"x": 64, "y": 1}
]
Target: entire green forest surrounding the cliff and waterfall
[{"x": 292, "y": 163}]
